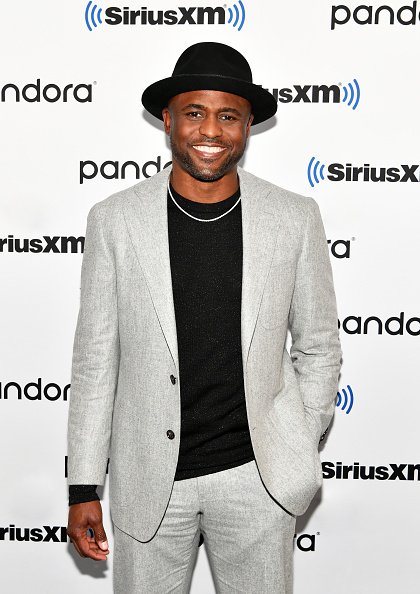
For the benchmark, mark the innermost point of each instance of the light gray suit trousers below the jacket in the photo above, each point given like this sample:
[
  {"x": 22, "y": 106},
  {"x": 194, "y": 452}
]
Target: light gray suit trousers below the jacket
[{"x": 247, "y": 535}]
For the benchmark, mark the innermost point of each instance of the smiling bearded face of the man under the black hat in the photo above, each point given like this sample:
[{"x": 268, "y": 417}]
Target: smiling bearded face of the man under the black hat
[{"x": 208, "y": 131}]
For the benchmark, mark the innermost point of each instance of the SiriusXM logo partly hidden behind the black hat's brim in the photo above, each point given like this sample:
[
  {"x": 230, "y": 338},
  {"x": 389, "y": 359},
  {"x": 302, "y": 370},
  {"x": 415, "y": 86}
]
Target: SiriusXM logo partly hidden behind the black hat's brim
[{"x": 345, "y": 94}]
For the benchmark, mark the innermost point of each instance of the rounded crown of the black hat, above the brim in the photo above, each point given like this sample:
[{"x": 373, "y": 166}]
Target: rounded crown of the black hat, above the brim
[{"x": 216, "y": 59}]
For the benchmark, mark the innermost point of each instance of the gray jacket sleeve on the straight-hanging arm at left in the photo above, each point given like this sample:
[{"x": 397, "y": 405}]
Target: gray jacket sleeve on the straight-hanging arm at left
[{"x": 95, "y": 360}]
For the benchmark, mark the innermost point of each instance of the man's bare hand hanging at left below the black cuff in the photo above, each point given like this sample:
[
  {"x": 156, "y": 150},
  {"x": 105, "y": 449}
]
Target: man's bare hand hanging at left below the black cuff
[{"x": 83, "y": 516}]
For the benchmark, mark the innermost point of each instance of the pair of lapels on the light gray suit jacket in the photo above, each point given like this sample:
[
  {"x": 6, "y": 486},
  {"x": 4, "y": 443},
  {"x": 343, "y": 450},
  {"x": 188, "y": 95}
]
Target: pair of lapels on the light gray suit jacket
[{"x": 145, "y": 212}]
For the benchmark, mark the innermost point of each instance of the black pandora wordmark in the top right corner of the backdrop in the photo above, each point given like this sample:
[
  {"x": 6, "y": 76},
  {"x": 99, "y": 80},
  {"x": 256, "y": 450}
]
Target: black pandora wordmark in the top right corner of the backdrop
[{"x": 369, "y": 15}]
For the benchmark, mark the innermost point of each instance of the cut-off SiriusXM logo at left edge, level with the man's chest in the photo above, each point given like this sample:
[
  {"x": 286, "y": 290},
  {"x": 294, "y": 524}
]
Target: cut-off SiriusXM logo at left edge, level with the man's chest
[{"x": 46, "y": 245}]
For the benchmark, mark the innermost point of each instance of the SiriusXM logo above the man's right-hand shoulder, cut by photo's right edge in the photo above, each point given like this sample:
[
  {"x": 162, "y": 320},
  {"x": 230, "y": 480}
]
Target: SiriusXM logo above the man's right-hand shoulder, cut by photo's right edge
[{"x": 365, "y": 173}]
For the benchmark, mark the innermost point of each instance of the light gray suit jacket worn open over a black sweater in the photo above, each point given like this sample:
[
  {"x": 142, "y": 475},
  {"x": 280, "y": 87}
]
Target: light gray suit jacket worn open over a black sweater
[{"x": 123, "y": 399}]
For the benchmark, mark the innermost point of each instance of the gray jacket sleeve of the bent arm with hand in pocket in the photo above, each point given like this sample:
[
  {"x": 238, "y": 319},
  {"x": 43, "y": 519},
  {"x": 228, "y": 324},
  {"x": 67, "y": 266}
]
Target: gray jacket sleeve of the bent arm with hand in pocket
[{"x": 315, "y": 349}]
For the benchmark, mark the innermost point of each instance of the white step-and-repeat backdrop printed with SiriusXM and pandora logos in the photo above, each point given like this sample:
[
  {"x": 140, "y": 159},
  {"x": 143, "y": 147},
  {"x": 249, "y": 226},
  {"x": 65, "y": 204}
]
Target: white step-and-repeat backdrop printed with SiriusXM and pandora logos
[{"x": 73, "y": 131}]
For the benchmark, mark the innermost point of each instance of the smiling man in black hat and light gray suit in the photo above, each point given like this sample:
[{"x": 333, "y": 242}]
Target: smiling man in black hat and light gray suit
[{"x": 190, "y": 281}]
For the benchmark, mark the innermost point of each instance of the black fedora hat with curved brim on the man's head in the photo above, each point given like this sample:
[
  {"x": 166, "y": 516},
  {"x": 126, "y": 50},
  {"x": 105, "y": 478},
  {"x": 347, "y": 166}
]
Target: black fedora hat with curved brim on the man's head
[{"x": 210, "y": 66}]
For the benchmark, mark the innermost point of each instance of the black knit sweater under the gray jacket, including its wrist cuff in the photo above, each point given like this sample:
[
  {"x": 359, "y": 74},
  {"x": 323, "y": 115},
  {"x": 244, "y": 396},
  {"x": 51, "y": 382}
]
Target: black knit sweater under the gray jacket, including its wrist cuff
[{"x": 206, "y": 269}]
